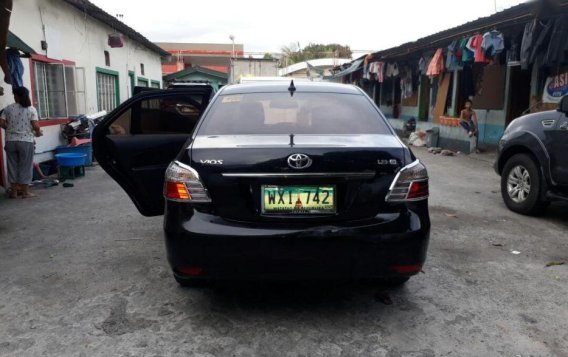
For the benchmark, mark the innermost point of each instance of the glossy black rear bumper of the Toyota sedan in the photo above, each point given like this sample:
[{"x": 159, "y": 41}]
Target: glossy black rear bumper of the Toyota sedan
[{"x": 389, "y": 245}]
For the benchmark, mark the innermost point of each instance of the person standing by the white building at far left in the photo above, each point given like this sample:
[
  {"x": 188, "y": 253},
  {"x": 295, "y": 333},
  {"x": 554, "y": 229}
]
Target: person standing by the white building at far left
[{"x": 21, "y": 123}]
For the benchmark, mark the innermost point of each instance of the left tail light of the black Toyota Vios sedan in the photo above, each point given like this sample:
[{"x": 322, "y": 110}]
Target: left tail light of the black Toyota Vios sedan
[{"x": 182, "y": 184}]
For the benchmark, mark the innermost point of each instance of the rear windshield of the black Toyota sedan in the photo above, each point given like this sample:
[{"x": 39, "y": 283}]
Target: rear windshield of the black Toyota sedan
[{"x": 304, "y": 113}]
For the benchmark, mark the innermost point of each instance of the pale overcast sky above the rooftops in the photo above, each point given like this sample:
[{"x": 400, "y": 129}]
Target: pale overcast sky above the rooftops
[{"x": 266, "y": 26}]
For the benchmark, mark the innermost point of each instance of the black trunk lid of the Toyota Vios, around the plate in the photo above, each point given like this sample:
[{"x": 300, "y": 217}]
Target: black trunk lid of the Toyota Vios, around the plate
[{"x": 235, "y": 168}]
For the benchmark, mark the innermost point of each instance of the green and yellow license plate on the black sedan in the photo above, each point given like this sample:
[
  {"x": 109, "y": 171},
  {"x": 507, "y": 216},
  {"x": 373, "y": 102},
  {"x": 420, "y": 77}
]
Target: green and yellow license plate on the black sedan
[{"x": 298, "y": 200}]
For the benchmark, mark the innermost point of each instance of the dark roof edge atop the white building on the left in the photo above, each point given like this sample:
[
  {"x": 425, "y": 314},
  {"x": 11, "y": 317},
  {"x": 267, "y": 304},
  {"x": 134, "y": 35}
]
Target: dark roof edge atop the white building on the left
[{"x": 97, "y": 13}]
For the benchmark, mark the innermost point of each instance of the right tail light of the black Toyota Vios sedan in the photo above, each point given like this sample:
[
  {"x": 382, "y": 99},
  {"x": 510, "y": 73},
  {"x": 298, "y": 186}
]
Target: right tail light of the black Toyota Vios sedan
[{"x": 410, "y": 184}]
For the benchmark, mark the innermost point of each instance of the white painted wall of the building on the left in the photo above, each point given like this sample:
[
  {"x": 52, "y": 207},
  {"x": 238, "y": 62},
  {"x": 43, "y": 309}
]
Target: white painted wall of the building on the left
[{"x": 74, "y": 36}]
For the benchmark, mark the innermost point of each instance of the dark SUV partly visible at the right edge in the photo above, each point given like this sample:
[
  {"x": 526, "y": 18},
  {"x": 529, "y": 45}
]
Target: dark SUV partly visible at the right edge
[{"x": 533, "y": 160}]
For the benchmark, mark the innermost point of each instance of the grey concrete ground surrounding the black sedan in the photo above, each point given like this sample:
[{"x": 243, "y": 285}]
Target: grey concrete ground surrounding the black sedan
[{"x": 83, "y": 274}]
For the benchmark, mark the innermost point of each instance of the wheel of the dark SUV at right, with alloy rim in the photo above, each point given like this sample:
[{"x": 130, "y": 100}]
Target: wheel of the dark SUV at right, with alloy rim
[{"x": 522, "y": 184}]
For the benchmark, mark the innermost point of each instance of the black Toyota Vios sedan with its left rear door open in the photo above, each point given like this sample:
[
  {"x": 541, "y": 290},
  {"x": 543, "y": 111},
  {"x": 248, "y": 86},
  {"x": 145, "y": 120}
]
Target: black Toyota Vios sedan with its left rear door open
[{"x": 271, "y": 181}]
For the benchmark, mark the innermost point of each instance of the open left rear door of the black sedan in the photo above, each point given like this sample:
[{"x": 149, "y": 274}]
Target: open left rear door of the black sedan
[{"x": 136, "y": 142}]
